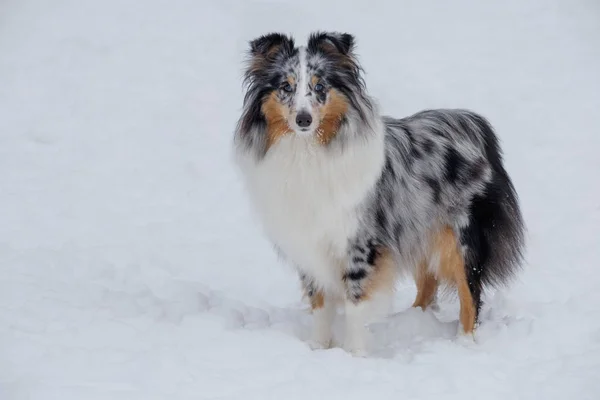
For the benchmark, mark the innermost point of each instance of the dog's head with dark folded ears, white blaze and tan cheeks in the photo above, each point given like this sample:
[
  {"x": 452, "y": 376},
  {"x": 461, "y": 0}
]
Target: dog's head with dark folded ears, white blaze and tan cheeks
[{"x": 309, "y": 90}]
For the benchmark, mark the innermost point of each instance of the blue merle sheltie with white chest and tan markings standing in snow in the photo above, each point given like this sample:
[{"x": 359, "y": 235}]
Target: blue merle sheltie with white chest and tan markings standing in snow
[{"x": 351, "y": 197}]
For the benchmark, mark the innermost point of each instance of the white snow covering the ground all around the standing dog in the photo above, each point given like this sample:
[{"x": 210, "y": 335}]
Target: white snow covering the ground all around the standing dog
[{"x": 132, "y": 268}]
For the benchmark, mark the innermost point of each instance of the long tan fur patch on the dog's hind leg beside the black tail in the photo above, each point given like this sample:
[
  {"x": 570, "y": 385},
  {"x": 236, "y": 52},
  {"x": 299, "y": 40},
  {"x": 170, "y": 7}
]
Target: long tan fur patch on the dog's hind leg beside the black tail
[{"x": 452, "y": 269}]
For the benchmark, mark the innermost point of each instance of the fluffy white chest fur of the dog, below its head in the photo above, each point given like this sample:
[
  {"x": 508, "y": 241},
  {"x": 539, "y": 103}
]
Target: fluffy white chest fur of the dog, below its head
[{"x": 308, "y": 199}]
